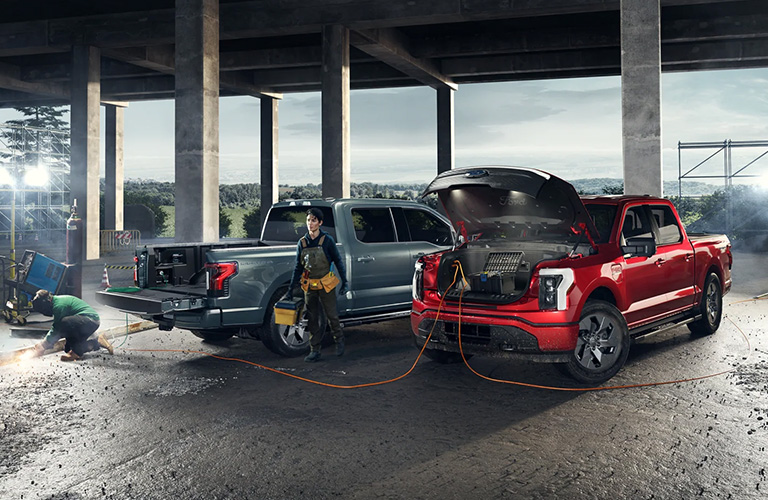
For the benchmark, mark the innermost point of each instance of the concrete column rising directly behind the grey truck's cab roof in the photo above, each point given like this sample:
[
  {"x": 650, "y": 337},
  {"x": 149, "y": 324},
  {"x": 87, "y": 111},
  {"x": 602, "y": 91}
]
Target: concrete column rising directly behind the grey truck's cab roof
[{"x": 335, "y": 110}]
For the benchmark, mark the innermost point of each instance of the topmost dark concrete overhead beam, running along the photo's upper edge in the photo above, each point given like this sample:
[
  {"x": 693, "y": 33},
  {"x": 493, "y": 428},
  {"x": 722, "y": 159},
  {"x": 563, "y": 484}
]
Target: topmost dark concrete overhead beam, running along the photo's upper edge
[{"x": 282, "y": 17}]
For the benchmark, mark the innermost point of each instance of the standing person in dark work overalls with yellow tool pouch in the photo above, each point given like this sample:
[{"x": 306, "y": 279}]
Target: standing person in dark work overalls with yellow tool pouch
[{"x": 315, "y": 252}]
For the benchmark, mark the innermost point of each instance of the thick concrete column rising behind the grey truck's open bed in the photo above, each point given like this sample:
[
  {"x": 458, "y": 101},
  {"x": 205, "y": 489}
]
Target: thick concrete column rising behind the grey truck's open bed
[{"x": 197, "y": 120}]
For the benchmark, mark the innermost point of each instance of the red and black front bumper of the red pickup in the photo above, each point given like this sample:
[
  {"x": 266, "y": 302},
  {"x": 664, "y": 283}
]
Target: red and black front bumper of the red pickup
[{"x": 508, "y": 337}]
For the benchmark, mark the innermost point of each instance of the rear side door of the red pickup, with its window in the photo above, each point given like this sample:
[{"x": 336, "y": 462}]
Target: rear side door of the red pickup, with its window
[{"x": 675, "y": 256}]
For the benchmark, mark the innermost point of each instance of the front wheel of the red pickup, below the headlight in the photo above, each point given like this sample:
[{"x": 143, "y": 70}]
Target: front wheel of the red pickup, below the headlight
[{"x": 603, "y": 344}]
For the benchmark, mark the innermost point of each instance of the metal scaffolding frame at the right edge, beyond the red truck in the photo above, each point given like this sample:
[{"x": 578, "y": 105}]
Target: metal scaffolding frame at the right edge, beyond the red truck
[{"x": 726, "y": 148}]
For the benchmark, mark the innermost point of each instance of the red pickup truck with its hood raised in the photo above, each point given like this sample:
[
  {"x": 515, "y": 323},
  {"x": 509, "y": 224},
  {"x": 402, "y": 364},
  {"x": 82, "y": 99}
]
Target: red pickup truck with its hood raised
[{"x": 541, "y": 273}]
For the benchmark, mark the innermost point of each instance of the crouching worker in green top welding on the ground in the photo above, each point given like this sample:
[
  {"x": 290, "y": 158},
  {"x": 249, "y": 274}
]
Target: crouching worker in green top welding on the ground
[{"x": 74, "y": 320}]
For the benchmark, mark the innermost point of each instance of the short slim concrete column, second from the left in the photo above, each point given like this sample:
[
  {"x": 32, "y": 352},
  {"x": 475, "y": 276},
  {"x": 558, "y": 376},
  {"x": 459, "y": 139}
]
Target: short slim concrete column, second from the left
[{"x": 113, "y": 166}]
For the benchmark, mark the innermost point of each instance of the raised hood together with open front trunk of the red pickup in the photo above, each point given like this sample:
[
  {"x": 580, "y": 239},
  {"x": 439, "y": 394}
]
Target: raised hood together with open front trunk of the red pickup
[{"x": 510, "y": 219}]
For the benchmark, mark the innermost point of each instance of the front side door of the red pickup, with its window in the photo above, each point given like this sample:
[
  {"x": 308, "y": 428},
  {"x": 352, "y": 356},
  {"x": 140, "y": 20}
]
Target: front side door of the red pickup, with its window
[{"x": 643, "y": 275}]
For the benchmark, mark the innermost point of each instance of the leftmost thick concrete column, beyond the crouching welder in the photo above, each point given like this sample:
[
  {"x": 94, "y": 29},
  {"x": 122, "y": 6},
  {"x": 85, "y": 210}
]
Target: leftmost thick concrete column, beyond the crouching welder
[{"x": 84, "y": 136}]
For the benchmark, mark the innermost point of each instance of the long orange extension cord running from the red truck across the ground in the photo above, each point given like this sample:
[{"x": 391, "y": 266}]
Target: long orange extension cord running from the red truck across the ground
[{"x": 458, "y": 267}]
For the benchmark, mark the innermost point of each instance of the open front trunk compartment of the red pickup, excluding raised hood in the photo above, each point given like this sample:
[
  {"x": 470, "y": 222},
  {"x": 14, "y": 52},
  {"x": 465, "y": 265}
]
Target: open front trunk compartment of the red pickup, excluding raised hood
[{"x": 494, "y": 273}]
